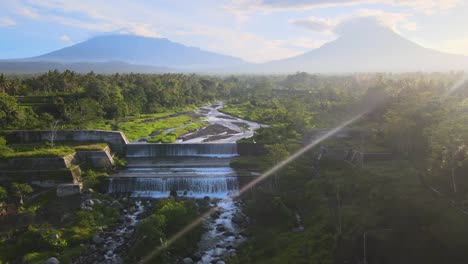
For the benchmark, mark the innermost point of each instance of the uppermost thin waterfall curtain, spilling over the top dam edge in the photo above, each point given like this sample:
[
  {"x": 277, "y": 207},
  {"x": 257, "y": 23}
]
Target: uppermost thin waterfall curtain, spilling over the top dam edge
[{"x": 196, "y": 149}]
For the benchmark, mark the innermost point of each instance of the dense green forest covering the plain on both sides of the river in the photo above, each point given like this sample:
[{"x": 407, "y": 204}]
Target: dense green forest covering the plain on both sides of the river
[{"x": 410, "y": 208}]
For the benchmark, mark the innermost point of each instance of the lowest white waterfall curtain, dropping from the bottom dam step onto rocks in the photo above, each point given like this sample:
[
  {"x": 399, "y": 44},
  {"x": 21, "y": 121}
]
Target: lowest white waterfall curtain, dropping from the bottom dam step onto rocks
[{"x": 219, "y": 187}]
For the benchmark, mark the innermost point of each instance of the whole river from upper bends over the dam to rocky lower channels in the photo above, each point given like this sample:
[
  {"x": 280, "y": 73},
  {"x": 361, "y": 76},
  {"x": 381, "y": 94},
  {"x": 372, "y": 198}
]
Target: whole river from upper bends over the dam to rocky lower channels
[{"x": 195, "y": 166}]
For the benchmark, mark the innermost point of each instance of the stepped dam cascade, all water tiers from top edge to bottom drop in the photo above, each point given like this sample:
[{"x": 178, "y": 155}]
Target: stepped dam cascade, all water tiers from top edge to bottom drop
[{"x": 192, "y": 170}]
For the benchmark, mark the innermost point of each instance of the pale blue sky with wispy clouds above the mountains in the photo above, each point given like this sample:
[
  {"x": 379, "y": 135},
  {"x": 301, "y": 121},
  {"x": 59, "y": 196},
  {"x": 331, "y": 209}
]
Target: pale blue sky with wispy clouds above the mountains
[{"x": 254, "y": 30}]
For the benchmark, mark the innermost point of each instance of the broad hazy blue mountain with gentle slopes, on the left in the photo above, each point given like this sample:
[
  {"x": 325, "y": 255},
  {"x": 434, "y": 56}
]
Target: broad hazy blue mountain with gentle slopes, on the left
[{"x": 158, "y": 52}]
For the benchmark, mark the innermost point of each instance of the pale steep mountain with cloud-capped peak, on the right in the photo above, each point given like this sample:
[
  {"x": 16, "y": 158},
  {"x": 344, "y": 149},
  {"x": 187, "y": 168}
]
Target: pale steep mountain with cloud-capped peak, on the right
[{"x": 367, "y": 46}]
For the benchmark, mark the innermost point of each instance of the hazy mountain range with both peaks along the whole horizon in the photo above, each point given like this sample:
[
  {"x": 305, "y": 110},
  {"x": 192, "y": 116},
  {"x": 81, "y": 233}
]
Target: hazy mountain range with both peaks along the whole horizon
[{"x": 364, "y": 47}]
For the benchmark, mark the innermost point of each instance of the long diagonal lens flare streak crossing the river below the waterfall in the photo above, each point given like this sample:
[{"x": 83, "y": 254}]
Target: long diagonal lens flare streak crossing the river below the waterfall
[{"x": 260, "y": 178}]
